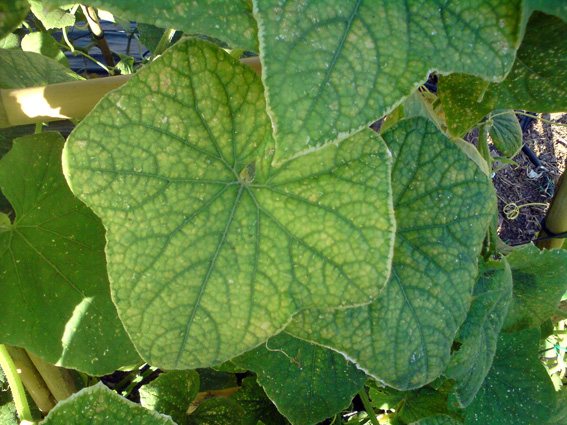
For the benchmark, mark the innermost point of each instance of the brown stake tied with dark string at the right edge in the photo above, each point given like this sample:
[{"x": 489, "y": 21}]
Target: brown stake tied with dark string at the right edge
[{"x": 556, "y": 218}]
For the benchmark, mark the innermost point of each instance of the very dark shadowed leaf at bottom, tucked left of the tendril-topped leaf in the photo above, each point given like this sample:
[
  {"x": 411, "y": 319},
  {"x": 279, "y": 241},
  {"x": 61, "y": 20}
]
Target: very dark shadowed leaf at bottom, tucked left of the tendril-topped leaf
[{"x": 256, "y": 404}]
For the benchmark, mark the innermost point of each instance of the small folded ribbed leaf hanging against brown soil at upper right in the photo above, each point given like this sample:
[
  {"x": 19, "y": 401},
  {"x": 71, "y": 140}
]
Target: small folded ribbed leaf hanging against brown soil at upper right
[{"x": 506, "y": 132}]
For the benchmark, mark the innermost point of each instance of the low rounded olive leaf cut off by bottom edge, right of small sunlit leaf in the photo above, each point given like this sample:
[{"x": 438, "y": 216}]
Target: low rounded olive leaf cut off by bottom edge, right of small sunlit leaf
[{"x": 217, "y": 411}]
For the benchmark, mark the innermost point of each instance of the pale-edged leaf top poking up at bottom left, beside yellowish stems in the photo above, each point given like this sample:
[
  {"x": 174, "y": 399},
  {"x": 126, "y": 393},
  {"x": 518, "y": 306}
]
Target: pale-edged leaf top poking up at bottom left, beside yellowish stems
[{"x": 97, "y": 405}]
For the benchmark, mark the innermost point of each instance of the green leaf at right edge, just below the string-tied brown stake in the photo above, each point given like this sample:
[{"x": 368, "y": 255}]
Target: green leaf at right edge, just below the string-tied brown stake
[{"x": 540, "y": 280}]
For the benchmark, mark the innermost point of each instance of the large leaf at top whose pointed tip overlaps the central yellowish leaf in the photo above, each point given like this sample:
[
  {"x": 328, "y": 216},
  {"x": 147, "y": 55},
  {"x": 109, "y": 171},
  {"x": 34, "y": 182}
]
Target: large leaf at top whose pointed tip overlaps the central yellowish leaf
[{"x": 331, "y": 68}]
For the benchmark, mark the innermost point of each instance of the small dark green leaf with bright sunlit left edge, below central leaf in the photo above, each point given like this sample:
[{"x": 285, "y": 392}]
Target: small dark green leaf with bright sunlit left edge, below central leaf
[{"x": 171, "y": 393}]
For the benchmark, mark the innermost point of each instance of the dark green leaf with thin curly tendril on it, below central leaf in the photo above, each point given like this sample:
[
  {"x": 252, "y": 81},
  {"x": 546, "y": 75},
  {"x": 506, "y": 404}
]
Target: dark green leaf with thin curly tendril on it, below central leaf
[{"x": 306, "y": 382}]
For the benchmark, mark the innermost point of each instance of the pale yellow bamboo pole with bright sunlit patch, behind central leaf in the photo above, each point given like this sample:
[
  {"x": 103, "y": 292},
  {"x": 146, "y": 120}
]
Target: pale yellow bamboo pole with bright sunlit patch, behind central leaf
[{"x": 64, "y": 101}]
